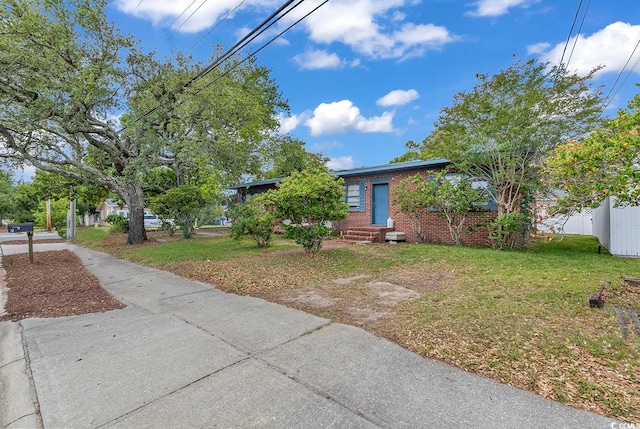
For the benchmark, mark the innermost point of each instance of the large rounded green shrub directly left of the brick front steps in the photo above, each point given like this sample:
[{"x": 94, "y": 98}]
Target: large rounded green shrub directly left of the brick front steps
[{"x": 308, "y": 200}]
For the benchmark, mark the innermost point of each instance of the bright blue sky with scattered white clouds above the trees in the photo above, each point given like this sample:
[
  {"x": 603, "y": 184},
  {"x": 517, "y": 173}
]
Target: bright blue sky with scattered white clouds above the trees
[{"x": 363, "y": 77}]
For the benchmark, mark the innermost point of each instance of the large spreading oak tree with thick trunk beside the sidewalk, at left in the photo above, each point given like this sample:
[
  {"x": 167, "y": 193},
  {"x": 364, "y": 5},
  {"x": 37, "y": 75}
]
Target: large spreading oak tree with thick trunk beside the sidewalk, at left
[{"x": 65, "y": 71}]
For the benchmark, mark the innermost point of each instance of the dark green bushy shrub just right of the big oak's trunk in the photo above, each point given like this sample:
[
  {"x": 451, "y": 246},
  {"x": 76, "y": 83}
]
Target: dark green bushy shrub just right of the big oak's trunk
[{"x": 180, "y": 204}]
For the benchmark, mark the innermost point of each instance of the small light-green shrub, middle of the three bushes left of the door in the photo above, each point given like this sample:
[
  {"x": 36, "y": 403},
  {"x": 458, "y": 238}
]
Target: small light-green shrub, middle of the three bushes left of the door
[{"x": 253, "y": 219}]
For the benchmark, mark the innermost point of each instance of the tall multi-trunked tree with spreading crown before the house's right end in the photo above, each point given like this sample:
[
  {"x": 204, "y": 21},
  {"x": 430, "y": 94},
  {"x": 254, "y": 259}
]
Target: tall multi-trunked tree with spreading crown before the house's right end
[{"x": 501, "y": 131}]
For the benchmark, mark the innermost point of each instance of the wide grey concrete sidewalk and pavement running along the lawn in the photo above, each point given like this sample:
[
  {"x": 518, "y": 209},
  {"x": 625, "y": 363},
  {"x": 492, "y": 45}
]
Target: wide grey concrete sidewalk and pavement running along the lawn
[{"x": 183, "y": 354}]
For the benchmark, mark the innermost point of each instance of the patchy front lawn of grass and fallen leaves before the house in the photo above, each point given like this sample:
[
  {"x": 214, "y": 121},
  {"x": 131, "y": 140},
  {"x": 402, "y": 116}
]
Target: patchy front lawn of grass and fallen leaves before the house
[{"x": 521, "y": 317}]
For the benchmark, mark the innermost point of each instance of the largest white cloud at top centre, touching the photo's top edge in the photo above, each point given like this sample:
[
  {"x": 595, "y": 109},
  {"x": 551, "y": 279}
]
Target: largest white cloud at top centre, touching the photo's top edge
[{"x": 360, "y": 24}]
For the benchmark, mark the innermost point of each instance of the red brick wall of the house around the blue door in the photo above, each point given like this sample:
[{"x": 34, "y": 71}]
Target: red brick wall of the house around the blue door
[{"x": 435, "y": 227}]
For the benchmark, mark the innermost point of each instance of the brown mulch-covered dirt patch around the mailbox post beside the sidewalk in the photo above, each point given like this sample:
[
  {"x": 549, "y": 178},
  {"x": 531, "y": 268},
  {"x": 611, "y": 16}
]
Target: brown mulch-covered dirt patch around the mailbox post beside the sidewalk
[{"x": 55, "y": 285}]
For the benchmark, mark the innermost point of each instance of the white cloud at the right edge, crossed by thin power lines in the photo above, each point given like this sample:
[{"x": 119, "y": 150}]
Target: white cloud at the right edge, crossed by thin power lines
[{"x": 610, "y": 47}]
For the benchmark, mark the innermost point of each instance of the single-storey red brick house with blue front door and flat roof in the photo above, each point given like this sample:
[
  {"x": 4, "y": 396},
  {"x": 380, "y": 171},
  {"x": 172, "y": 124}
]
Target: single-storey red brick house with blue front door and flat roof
[{"x": 369, "y": 193}]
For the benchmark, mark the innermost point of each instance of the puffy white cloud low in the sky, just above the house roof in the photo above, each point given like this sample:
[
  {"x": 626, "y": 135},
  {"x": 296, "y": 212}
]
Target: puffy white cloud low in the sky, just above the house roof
[{"x": 342, "y": 116}]
